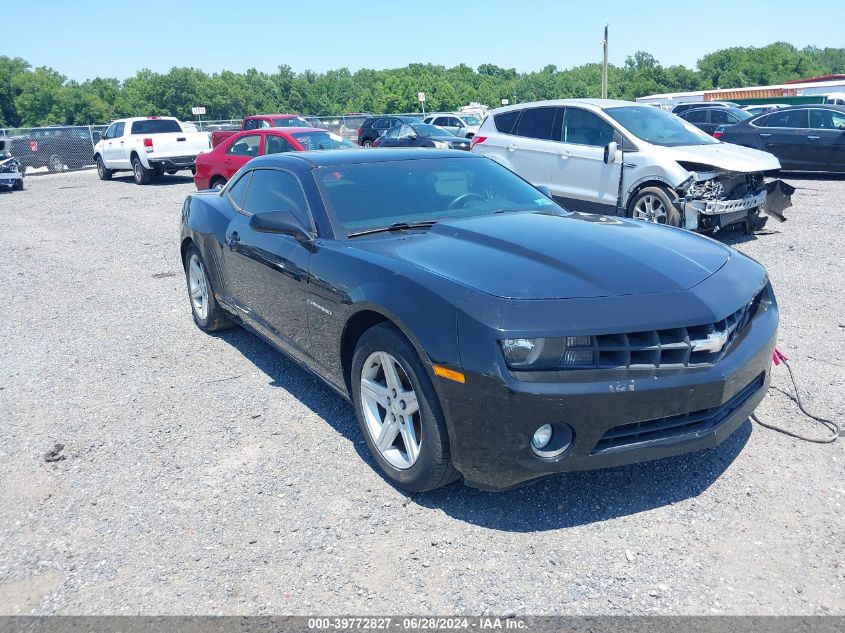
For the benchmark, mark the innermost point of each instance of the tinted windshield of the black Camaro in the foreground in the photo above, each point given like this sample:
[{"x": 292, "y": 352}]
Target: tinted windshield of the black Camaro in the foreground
[{"x": 373, "y": 195}]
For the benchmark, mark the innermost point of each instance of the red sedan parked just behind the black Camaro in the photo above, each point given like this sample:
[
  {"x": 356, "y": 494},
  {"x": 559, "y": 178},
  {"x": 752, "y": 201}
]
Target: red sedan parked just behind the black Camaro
[{"x": 215, "y": 168}]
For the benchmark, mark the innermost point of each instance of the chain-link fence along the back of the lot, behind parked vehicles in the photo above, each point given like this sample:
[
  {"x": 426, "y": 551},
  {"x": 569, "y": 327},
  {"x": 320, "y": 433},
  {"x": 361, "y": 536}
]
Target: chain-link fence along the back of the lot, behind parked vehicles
[{"x": 58, "y": 148}]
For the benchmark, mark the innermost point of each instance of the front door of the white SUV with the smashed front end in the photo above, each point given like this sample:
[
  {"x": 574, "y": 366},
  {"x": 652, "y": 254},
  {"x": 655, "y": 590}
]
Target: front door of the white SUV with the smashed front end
[{"x": 582, "y": 180}]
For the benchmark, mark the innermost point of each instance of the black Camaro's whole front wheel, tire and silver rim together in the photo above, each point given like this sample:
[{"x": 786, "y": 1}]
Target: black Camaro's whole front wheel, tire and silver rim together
[{"x": 398, "y": 411}]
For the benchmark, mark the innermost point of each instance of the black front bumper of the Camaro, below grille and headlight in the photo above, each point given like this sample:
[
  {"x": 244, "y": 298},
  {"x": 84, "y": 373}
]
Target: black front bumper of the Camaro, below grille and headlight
[{"x": 493, "y": 416}]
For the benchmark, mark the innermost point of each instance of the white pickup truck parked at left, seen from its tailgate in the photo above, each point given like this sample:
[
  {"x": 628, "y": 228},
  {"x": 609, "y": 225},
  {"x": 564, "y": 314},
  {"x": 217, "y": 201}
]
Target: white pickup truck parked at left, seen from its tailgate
[{"x": 148, "y": 146}]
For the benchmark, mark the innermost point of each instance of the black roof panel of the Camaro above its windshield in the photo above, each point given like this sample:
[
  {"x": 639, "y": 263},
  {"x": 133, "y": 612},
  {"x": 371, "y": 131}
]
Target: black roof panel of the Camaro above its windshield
[{"x": 339, "y": 157}]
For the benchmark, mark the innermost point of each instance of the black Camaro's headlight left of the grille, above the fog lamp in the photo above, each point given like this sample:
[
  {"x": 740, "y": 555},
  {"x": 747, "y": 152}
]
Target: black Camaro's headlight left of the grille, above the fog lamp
[{"x": 536, "y": 354}]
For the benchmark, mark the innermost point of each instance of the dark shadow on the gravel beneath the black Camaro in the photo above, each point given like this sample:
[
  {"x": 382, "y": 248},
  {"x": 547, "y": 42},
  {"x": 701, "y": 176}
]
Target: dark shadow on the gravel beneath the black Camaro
[{"x": 560, "y": 501}]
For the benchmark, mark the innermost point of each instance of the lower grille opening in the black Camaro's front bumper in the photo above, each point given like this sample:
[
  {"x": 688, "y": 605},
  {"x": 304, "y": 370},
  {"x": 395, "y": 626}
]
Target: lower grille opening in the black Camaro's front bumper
[{"x": 676, "y": 425}]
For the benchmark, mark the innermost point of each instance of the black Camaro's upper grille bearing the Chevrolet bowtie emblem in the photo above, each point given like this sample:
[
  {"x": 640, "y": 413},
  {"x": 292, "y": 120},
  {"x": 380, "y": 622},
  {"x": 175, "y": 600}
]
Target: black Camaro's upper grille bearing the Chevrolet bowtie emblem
[{"x": 665, "y": 349}]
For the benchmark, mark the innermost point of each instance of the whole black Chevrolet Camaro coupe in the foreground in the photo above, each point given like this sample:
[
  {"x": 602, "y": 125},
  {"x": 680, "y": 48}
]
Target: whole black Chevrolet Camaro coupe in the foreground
[{"x": 479, "y": 329}]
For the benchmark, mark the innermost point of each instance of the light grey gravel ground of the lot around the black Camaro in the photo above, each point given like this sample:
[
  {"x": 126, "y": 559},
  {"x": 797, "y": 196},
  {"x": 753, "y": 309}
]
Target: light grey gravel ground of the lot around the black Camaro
[{"x": 211, "y": 475}]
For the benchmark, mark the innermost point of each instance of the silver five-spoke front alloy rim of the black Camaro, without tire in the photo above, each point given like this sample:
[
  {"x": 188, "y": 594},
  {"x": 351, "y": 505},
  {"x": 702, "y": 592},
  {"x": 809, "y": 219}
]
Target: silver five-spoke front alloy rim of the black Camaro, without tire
[{"x": 391, "y": 410}]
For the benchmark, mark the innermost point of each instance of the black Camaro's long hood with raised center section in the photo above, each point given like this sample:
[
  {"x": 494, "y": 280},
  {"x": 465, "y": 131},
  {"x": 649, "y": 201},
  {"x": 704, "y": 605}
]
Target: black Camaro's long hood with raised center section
[{"x": 549, "y": 256}]
